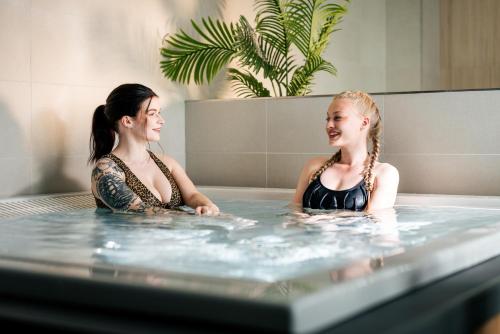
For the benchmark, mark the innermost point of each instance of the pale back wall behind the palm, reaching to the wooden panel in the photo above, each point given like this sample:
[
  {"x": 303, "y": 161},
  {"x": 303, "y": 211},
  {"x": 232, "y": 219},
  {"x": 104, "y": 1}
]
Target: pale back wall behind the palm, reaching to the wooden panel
[{"x": 382, "y": 46}]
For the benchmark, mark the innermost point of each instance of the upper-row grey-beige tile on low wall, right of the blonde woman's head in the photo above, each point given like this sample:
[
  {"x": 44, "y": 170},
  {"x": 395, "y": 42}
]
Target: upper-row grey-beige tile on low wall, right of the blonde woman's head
[{"x": 452, "y": 122}]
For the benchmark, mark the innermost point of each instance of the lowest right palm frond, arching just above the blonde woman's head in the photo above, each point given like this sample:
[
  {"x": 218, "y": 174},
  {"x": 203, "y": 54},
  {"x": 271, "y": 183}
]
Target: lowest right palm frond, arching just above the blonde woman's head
[{"x": 303, "y": 76}]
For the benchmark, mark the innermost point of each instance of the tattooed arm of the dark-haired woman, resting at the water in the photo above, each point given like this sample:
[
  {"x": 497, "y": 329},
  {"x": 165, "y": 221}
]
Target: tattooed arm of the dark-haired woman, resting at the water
[{"x": 108, "y": 184}]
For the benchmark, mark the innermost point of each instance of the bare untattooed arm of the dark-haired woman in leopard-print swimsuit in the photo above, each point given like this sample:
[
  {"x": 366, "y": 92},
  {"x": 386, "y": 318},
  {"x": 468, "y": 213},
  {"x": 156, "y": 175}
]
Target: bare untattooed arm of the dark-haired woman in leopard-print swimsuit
[{"x": 191, "y": 196}]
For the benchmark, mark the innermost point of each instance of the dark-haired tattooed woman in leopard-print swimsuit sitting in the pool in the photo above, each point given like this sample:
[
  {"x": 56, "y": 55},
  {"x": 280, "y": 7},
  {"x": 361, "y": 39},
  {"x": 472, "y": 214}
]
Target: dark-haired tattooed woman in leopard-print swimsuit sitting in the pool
[{"x": 129, "y": 177}]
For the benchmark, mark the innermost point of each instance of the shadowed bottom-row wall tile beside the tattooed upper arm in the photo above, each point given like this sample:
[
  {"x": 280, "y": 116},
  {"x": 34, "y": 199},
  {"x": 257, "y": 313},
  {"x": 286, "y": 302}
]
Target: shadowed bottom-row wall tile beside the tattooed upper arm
[{"x": 60, "y": 173}]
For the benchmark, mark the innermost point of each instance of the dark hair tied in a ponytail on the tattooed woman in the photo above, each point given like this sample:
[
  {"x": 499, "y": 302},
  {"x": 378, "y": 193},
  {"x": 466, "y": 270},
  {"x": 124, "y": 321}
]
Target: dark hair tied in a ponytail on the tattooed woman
[{"x": 124, "y": 100}]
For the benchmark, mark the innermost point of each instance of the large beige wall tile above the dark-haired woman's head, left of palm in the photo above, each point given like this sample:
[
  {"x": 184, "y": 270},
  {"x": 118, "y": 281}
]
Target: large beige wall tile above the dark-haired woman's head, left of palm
[{"x": 105, "y": 42}]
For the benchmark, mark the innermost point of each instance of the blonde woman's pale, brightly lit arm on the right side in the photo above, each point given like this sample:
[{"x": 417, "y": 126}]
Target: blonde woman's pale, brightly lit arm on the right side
[{"x": 385, "y": 187}]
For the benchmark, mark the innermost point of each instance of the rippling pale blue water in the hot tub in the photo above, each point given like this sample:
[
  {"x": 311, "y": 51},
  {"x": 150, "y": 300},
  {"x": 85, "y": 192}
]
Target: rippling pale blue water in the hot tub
[{"x": 260, "y": 240}]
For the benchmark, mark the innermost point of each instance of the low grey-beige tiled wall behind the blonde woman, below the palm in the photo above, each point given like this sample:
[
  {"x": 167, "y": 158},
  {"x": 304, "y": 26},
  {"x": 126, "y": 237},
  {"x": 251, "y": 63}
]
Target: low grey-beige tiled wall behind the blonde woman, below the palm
[{"x": 443, "y": 142}]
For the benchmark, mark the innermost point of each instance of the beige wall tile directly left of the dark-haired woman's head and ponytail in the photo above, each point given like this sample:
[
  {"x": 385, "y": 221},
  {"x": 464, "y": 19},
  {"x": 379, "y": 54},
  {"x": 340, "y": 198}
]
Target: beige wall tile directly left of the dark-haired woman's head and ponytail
[{"x": 62, "y": 118}]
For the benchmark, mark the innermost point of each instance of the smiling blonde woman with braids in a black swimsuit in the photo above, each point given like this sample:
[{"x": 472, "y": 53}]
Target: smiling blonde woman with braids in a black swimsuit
[{"x": 353, "y": 178}]
